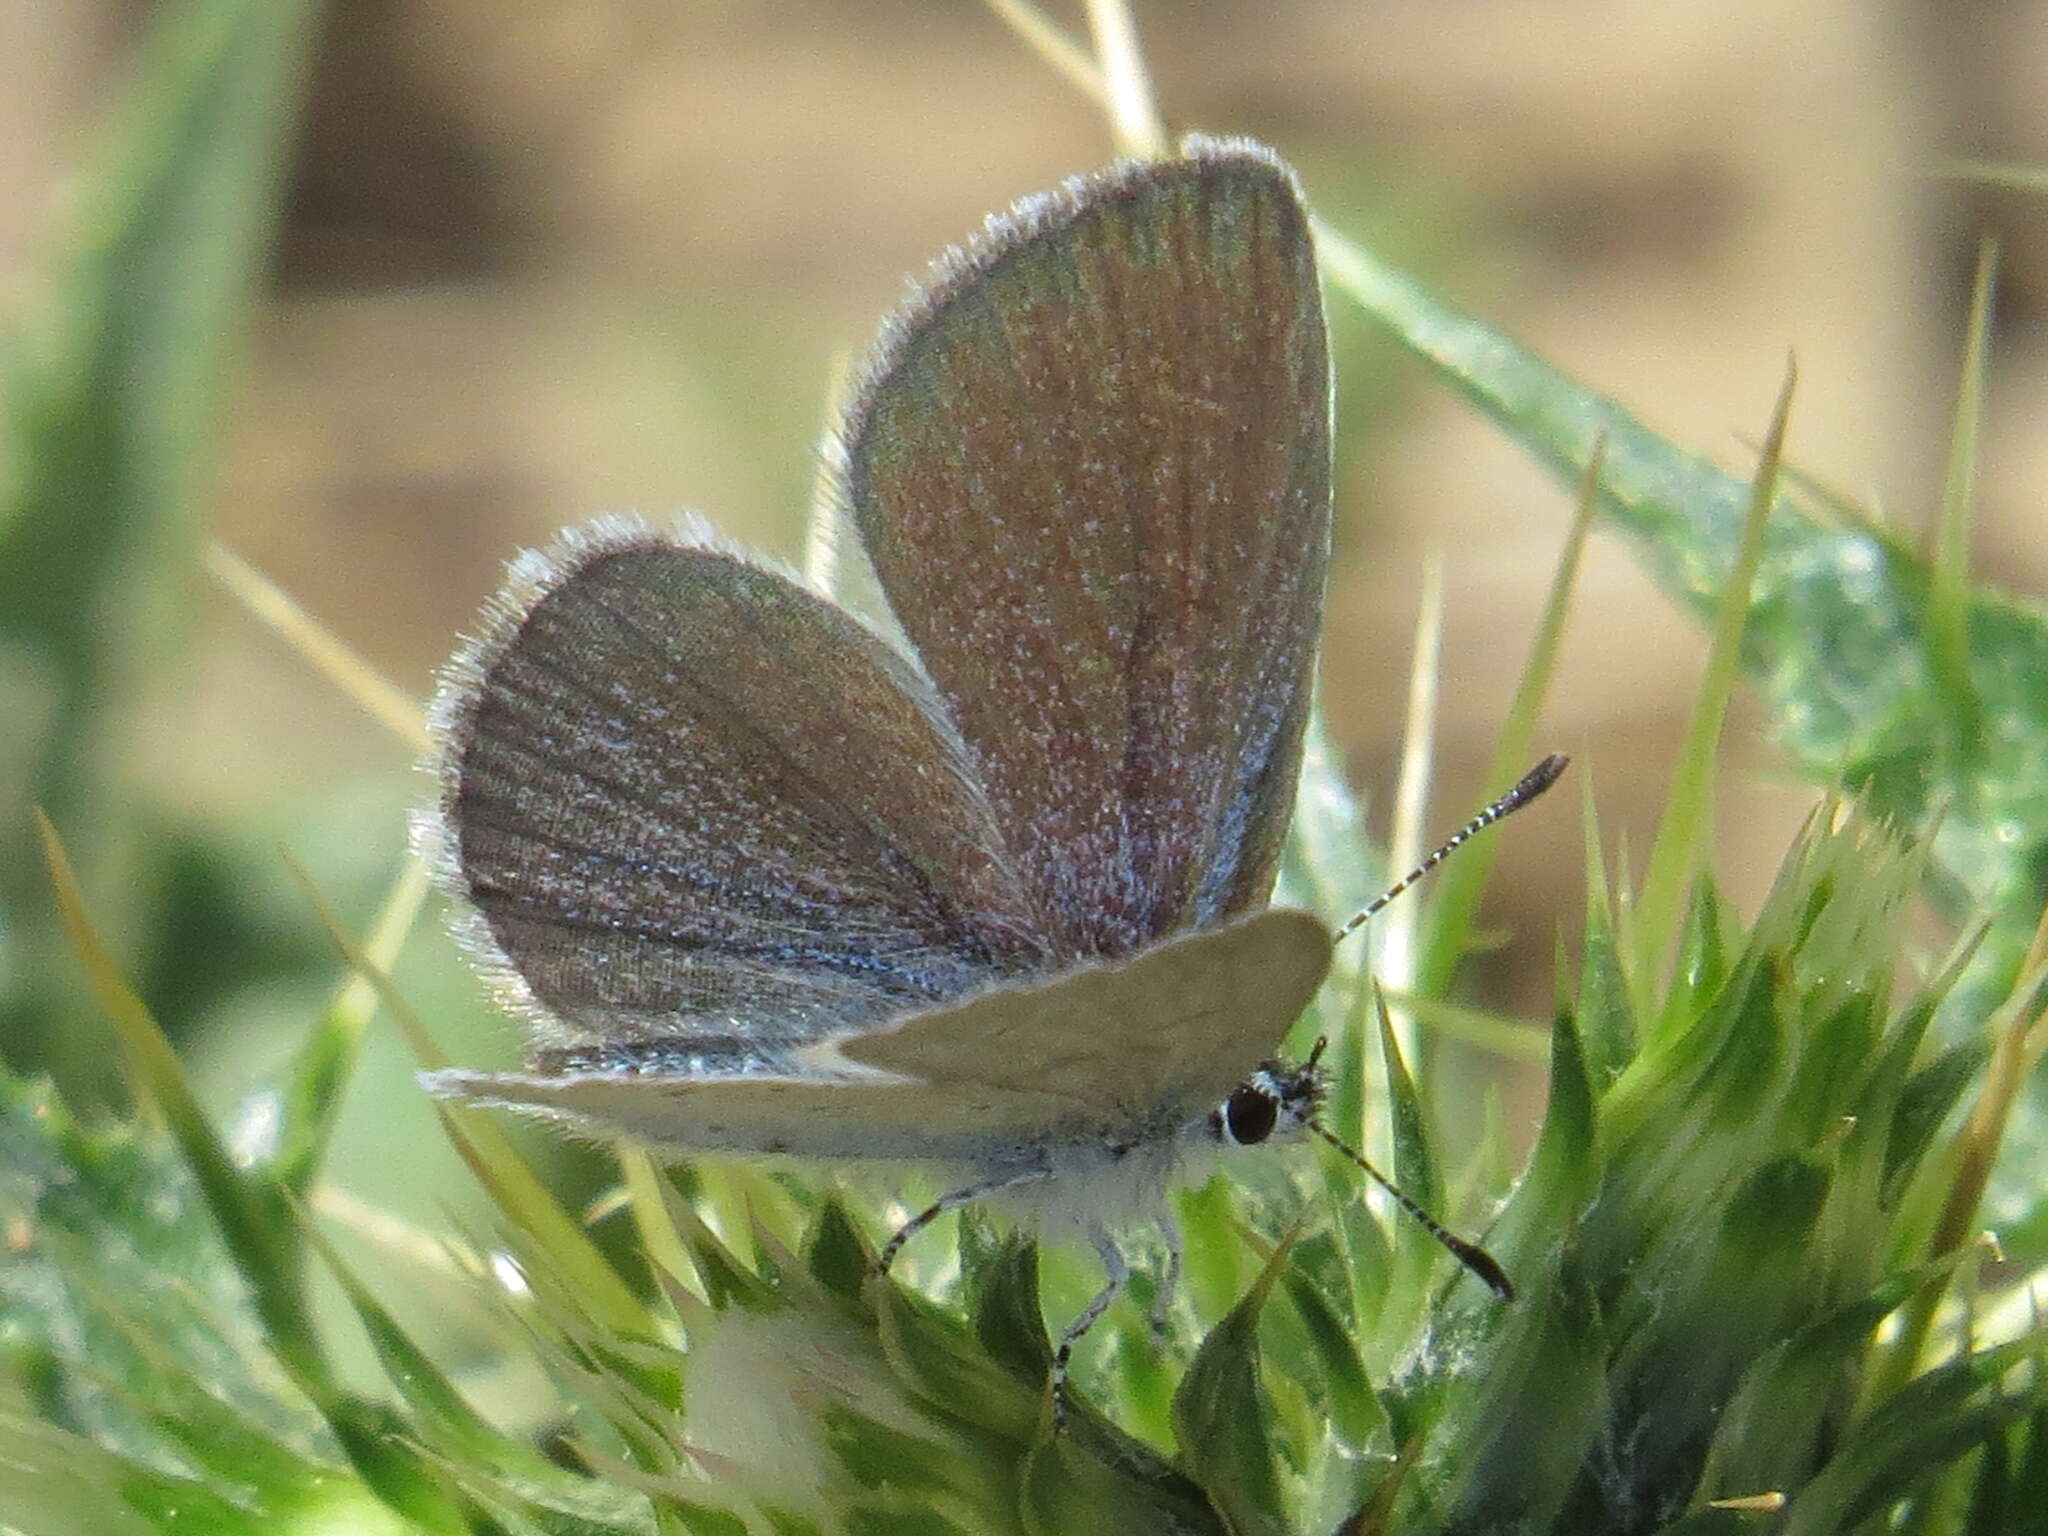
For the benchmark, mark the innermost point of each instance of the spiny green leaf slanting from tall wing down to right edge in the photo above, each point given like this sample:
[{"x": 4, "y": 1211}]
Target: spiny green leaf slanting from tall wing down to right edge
[{"x": 1838, "y": 638}]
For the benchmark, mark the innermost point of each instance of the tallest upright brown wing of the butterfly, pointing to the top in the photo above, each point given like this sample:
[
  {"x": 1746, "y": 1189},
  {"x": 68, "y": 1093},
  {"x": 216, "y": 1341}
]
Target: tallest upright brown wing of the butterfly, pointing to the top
[{"x": 1091, "y": 468}]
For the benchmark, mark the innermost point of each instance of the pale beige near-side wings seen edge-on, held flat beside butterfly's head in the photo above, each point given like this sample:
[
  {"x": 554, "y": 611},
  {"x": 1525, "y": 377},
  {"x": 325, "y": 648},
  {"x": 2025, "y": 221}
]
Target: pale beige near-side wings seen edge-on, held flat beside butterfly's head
[{"x": 1136, "y": 1048}]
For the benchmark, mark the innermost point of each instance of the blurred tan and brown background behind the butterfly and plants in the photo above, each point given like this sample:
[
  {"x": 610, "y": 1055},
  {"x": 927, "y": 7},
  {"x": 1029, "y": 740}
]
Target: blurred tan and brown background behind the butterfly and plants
[{"x": 564, "y": 259}]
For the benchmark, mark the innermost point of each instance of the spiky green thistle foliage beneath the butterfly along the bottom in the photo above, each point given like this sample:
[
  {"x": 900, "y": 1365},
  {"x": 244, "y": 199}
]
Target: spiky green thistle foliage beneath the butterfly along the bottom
[{"x": 1721, "y": 1209}]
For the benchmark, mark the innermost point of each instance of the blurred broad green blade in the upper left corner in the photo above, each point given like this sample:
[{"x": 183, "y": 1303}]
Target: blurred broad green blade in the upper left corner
[{"x": 112, "y": 404}]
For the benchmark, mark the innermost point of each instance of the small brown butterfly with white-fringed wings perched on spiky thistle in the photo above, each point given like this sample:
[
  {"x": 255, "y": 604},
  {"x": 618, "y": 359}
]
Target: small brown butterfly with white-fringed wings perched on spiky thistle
[{"x": 988, "y": 884}]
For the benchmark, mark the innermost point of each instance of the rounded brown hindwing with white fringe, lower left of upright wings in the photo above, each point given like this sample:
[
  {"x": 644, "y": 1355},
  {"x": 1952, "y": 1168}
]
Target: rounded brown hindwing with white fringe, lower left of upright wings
[{"x": 687, "y": 798}]
